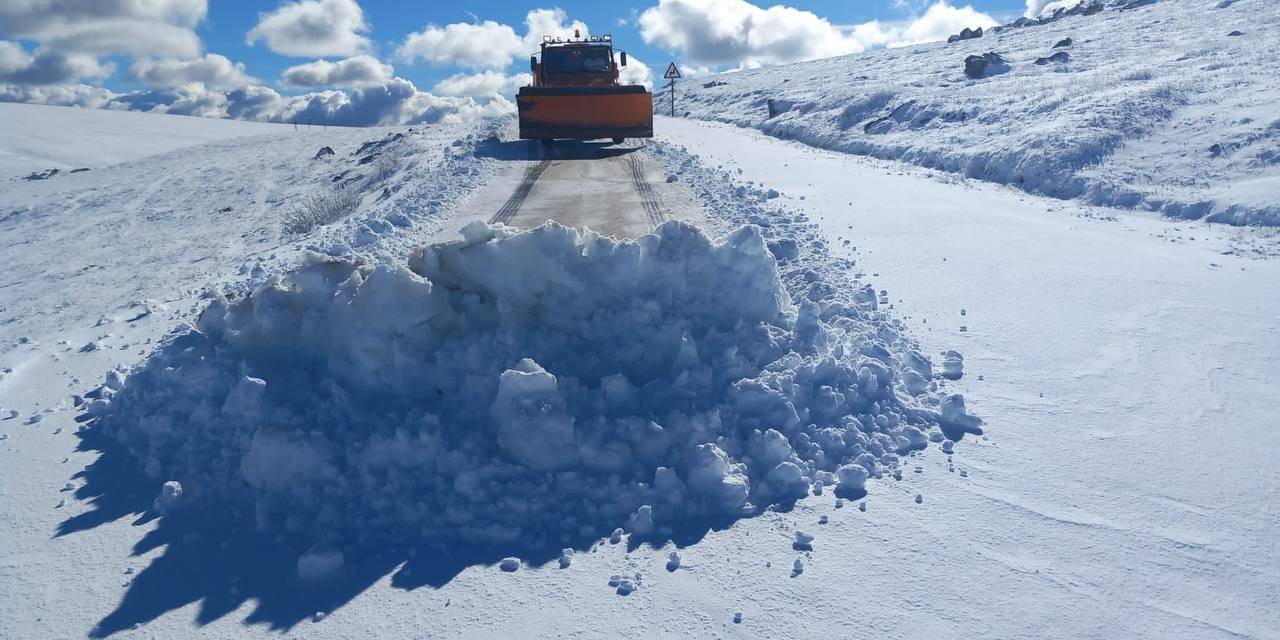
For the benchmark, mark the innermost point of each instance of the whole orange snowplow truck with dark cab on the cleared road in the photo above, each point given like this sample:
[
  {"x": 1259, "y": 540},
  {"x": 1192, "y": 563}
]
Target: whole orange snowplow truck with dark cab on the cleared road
[{"x": 575, "y": 94}]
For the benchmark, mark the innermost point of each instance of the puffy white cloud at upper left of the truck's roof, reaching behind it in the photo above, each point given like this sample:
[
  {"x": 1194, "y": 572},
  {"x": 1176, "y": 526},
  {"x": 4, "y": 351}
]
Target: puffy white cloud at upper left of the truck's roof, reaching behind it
[{"x": 486, "y": 45}]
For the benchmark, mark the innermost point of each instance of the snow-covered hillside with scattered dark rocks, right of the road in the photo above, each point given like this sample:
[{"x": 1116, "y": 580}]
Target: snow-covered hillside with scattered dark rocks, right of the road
[{"x": 1167, "y": 106}]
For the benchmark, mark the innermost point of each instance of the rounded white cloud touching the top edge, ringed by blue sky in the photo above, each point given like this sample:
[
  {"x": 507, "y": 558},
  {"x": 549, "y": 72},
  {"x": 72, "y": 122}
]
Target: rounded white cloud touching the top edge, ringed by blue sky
[{"x": 314, "y": 29}]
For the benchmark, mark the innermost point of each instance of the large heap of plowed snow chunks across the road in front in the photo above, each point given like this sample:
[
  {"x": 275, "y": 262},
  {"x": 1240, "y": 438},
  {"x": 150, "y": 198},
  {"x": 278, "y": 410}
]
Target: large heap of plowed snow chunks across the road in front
[{"x": 527, "y": 388}]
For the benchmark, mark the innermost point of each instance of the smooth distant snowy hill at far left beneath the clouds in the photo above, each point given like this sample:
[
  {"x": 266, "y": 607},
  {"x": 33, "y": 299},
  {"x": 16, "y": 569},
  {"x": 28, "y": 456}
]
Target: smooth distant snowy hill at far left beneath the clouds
[{"x": 39, "y": 138}]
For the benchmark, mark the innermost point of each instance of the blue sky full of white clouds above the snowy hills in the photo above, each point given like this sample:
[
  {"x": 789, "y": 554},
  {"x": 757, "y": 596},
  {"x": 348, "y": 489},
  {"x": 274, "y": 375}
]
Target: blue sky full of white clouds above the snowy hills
[{"x": 383, "y": 62}]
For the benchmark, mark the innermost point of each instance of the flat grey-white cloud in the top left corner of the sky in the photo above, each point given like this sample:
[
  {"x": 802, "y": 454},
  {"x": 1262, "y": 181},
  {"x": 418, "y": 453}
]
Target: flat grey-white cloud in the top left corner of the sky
[{"x": 100, "y": 28}]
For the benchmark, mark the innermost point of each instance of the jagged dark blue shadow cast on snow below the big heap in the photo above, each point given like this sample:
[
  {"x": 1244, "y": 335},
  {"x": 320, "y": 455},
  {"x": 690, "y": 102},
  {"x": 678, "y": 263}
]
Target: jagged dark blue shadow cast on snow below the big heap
[{"x": 220, "y": 560}]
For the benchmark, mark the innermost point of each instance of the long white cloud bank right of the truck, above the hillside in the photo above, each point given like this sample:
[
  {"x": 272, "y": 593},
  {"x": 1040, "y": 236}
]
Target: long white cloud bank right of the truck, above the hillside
[{"x": 737, "y": 33}]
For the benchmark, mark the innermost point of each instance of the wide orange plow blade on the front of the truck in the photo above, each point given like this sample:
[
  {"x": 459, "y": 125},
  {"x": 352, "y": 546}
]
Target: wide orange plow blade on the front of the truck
[{"x": 586, "y": 113}]
